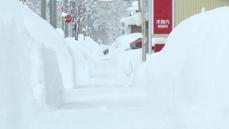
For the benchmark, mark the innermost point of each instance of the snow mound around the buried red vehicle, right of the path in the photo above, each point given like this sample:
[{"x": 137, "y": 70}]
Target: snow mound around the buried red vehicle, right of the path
[{"x": 124, "y": 58}]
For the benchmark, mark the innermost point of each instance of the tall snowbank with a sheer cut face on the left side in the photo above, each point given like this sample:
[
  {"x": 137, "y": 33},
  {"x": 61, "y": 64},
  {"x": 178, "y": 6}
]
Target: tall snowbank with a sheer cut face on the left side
[{"x": 35, "y": 66}]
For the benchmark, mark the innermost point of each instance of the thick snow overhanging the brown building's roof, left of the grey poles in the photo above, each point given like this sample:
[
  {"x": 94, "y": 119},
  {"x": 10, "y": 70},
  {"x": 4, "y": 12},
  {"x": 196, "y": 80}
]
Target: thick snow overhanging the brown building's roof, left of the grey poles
[{"x": 132, "y": 20}]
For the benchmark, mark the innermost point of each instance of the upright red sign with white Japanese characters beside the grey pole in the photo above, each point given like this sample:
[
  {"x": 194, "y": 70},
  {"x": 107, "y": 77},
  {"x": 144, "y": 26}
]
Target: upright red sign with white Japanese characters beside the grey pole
[{"x": 163, "y": 16}]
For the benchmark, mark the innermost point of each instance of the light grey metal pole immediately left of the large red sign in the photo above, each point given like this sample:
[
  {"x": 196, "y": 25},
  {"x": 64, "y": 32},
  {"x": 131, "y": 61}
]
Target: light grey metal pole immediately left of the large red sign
[{"x": 150, "y": 26}]
